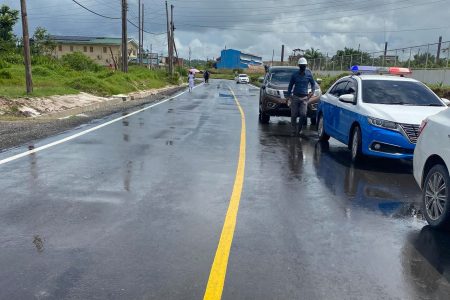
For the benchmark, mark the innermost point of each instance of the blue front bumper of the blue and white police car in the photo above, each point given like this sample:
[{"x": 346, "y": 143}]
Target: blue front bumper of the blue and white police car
[{"x": 386, "y": 143}]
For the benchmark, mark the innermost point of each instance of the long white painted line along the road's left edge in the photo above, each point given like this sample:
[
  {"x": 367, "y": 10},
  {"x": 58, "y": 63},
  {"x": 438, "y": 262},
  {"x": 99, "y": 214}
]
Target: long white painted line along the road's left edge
[{"x": 69, "y": 138}]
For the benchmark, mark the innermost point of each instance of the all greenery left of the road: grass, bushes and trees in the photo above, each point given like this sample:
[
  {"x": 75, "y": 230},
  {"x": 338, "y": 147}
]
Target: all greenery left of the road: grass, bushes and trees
[{"x": 71, "y": 74}]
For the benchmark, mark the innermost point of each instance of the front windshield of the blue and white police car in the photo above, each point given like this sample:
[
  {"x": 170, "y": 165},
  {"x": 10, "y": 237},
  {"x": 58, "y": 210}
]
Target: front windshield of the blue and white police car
[{"x": 398, "y": 93}]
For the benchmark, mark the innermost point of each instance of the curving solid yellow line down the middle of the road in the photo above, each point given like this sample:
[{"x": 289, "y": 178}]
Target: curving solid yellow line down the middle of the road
[{"x": 218, "y": 272}]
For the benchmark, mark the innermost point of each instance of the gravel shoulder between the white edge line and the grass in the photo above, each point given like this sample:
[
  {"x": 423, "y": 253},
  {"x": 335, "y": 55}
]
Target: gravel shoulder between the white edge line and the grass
[{"x": 25, "y": 131}]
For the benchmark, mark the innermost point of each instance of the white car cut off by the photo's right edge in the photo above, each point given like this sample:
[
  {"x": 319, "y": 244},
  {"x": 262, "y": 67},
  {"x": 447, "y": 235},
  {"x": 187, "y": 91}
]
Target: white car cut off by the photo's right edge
[{"x": 431, "y": 168}]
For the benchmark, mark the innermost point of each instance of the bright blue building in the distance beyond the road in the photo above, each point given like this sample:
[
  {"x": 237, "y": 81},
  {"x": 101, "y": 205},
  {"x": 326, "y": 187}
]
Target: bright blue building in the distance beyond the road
[{"x": 234, "y": 59}]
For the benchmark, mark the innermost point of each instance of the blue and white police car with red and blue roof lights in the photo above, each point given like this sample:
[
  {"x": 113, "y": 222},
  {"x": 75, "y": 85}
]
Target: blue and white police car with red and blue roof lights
[{"x": 376, "y": 114}]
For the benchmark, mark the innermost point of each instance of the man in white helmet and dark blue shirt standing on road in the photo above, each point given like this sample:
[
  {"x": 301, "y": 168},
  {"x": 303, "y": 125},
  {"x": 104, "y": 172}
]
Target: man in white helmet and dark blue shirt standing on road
[{"x": 298, "y": 85}]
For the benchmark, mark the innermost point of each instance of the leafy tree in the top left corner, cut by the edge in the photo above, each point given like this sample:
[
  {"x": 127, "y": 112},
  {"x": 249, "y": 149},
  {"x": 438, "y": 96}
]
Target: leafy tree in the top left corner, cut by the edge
[{"x": 8, "y": 18}]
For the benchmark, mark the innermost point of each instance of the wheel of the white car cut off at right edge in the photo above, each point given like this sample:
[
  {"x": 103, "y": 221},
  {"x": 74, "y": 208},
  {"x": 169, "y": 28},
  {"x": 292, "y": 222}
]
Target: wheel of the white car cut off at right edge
[{"x": 436, "y": 201}]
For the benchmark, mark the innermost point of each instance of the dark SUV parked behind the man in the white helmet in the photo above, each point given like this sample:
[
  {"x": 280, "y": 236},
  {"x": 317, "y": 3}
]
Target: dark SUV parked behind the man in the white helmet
[{"x": 272, "y": 99}]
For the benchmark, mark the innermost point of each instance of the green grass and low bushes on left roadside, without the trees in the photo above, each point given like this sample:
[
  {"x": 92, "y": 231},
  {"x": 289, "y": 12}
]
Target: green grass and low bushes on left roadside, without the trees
[{"x": 72, "y": 74}]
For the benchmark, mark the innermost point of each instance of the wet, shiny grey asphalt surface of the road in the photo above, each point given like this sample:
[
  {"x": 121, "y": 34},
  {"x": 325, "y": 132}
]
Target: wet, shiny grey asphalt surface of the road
[{"x": 135, "y": 210}]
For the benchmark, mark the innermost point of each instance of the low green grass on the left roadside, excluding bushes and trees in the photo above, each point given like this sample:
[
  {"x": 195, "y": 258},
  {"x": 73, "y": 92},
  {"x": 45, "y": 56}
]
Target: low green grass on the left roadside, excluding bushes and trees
[{"x": 51, "y": 80}]
